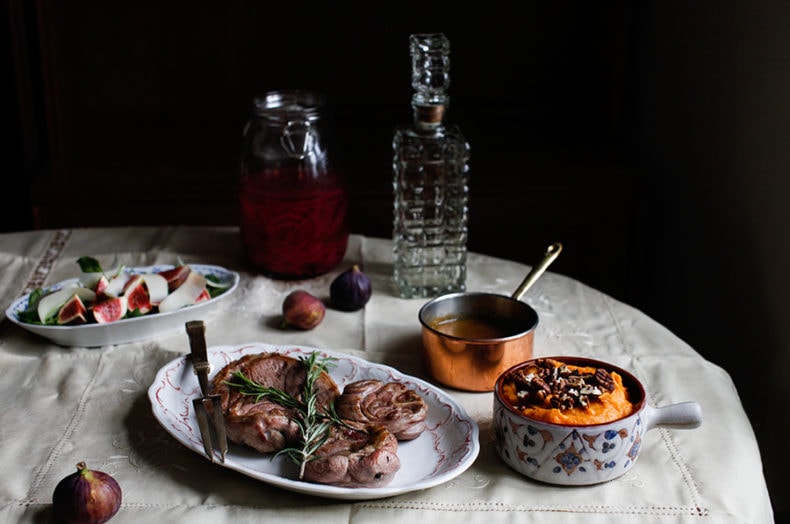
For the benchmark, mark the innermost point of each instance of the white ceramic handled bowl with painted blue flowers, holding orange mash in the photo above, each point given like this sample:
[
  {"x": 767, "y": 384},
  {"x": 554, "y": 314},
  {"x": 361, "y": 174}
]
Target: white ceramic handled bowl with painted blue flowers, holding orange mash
[{"x": 582, "y": 454}]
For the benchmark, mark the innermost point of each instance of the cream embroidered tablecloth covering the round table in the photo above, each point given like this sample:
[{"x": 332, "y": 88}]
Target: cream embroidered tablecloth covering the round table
[{"x": 64, "y": 405}]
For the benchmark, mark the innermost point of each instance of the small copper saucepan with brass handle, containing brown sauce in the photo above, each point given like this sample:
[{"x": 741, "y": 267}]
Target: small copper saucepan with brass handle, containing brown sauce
[{"x": 469, "y": 339}]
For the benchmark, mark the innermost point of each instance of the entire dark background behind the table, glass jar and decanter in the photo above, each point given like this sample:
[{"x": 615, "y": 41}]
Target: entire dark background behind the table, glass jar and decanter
[{"x": 649, "y": 137}]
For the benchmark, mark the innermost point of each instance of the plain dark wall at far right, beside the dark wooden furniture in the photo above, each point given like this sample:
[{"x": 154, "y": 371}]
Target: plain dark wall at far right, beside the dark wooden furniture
[{"x": 711, "y": 131}]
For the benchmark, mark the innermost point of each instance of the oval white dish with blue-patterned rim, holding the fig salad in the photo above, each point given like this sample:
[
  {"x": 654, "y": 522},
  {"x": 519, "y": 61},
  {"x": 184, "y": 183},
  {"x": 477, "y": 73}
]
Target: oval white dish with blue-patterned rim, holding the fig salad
[{"x": 128, "y": 329}]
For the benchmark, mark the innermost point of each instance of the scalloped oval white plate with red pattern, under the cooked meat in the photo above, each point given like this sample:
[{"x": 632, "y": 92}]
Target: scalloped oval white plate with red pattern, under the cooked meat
[{"x": 446, "y": 449}]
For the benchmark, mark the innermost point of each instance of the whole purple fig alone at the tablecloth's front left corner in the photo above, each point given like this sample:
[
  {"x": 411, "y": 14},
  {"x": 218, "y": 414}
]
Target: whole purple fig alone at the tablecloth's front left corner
[{"x": 86, "y": 496}]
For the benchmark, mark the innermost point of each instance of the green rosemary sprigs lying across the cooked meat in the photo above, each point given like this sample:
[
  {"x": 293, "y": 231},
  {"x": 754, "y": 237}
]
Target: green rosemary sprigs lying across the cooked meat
[{"x": 314, "y": 420}]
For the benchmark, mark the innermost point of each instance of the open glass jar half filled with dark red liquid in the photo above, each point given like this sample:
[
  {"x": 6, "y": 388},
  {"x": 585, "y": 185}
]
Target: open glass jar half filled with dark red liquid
[{"x": 293, "y": 202}]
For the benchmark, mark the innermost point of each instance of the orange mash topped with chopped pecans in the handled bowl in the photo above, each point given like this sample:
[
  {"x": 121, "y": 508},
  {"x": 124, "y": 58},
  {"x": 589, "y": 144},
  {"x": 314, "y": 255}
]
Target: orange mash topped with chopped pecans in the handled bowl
[{"x": 559, "y": 393}]
